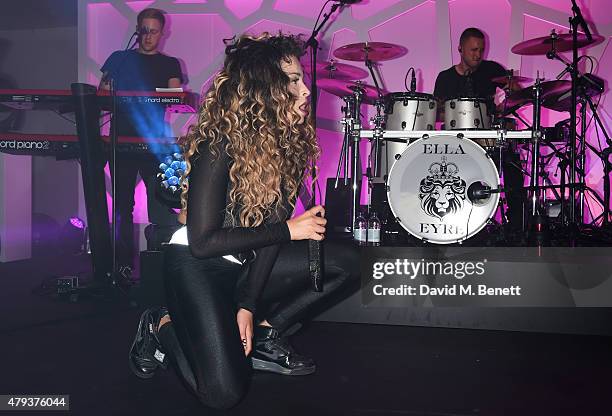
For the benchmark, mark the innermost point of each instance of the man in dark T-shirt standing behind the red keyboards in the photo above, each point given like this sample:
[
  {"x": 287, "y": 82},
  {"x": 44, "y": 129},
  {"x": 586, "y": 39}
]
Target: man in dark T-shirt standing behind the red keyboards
[{"x": 142, "y": 69}]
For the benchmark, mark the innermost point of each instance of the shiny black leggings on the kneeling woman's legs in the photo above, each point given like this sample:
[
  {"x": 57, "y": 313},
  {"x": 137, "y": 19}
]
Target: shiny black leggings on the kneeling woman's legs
[{"x": 203, "y": 341}]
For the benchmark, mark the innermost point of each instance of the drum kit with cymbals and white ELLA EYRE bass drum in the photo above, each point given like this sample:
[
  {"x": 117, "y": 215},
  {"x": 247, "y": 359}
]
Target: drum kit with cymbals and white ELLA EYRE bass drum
[{"x": 441, "y": 186}]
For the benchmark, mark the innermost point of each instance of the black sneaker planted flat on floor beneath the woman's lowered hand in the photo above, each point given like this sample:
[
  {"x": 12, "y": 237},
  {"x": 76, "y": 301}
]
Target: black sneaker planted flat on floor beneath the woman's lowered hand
[{"x": 273, "y": 353}]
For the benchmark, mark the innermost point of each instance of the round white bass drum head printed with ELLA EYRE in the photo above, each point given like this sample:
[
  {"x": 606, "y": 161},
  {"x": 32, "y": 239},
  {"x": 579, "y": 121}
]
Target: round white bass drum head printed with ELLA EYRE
[{"x": 427, "y": 189}]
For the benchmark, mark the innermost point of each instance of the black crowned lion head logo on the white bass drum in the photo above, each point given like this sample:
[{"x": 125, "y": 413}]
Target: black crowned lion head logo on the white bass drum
[{"x": 442, "y": 192}]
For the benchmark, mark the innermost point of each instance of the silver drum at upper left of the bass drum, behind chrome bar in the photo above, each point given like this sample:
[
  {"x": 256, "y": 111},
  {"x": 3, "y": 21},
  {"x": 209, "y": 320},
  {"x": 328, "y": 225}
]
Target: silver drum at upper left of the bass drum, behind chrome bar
[{"x": 404, "y": 111}]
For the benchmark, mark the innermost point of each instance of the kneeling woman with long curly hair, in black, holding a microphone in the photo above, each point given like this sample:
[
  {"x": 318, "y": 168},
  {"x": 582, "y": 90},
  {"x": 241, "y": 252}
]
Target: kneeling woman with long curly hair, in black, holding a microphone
[{"x": 241, "y": 258}]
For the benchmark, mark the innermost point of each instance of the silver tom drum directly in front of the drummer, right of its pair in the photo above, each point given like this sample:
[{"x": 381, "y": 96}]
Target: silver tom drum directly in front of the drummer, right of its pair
[{"x": 466, "y": 114}]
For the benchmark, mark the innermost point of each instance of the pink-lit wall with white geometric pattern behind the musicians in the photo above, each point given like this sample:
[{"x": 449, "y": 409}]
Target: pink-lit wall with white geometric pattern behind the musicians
[{"x": 429, "y": 29}]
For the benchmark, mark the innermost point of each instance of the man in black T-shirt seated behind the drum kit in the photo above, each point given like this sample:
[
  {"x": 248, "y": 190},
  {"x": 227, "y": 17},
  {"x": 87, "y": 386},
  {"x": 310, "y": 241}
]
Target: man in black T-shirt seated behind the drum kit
[{"x": 472, "y": 77}]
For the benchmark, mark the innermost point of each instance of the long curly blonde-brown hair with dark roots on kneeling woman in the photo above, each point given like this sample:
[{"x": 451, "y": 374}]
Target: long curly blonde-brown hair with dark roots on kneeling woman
[{"x": 249, "y": 104}]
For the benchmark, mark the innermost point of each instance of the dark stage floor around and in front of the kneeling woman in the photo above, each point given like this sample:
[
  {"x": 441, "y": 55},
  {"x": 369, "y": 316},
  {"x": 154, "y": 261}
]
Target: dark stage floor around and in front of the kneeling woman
[{"x": 52, "y": 346}]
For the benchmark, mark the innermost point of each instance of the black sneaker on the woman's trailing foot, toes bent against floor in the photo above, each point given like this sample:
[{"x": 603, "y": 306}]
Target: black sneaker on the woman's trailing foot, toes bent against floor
[{"x": 146, "y": 354}]
